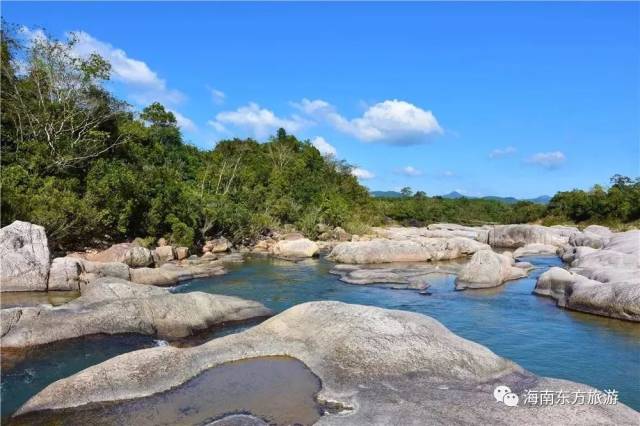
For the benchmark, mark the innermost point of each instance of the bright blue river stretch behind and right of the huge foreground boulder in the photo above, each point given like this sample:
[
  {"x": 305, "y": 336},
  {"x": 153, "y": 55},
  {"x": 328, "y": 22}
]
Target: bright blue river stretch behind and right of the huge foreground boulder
[{"x": 530, "y": 330}]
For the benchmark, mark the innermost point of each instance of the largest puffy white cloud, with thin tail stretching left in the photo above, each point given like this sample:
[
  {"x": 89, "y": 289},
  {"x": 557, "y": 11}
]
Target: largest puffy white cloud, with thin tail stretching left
[{"x": 392, "y": 121}]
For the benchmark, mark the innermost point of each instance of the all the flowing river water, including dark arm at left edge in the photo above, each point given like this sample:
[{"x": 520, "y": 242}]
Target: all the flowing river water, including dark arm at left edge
[{"x": 530, "y": 330}]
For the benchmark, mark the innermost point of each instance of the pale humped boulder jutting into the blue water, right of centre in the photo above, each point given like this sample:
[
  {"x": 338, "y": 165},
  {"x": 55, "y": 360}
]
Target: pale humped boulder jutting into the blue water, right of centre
[{"x": 488, "y": 269}]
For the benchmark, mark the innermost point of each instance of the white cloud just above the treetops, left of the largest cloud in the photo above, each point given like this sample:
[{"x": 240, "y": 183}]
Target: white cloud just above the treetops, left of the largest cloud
[{"x": 259, "y": 122}]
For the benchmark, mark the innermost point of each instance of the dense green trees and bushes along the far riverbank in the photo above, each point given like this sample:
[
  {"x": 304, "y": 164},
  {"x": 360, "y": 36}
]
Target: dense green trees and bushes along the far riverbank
[{"x": 83, "y": 164}]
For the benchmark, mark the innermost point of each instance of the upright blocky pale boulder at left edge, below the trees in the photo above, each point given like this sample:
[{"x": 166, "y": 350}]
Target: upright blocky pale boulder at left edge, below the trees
[{"x": 24, "y": 257}]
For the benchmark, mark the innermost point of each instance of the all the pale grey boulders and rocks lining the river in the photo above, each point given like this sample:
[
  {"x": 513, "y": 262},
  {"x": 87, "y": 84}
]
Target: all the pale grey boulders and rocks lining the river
[{"x": 120, "y": 292}]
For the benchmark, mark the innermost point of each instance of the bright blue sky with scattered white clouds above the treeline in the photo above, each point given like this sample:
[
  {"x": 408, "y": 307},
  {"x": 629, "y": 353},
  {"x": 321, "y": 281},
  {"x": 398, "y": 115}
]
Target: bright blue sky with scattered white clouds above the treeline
[{"x": 507, "y": 99}]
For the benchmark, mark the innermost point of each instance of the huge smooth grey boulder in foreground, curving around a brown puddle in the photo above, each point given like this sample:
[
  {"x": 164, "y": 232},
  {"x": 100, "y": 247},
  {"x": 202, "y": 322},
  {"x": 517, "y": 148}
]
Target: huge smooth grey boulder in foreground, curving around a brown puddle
[{"x": 380, "y": 366}]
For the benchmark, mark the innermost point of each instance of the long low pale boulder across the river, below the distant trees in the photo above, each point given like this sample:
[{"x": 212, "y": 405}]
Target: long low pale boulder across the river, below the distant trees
[{"x": 412, "y": 250}]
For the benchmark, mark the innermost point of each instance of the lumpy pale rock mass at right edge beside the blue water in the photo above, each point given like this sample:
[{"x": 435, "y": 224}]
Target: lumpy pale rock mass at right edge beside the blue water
[{"x": 603, "y": 282}]
